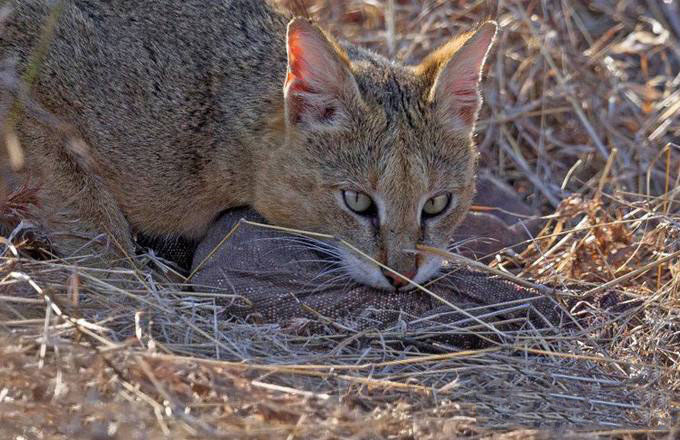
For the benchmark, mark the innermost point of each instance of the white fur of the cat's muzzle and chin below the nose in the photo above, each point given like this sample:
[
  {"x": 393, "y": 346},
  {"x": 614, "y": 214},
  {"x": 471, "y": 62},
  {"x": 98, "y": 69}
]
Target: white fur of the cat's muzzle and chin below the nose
[{"x": 367, "y": 273}]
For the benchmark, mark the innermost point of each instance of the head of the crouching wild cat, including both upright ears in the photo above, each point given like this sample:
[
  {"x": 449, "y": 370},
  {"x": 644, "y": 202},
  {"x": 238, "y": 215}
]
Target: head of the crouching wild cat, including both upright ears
[{"x": 377, "y": 154}]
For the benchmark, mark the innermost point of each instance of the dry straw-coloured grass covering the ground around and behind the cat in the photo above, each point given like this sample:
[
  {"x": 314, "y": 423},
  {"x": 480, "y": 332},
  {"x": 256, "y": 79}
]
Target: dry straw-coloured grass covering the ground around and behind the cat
[{"x": 582, "y": 116}]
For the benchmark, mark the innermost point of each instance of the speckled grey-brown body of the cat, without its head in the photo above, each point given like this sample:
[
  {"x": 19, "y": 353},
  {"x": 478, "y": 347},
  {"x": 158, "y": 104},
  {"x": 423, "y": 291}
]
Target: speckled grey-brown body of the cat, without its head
[{"x": 157, "y": 120}]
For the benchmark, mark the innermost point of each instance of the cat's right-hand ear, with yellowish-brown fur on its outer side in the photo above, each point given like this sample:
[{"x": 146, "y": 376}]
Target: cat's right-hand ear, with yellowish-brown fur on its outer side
[{"x": 455, "y": 71}]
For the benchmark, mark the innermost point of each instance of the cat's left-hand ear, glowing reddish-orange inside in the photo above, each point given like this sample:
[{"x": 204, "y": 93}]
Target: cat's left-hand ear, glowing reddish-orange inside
[{"x": 319, "y": 85}]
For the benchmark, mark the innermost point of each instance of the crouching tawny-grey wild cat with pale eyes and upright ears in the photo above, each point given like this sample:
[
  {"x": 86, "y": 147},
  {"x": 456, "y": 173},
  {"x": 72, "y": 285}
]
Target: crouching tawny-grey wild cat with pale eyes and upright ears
[{"x": 191, "y": 107}]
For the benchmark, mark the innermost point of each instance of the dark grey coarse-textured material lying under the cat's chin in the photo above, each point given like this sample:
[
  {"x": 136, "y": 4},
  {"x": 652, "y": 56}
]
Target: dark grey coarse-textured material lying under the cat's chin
[{"x": 277, "y": 277}]
